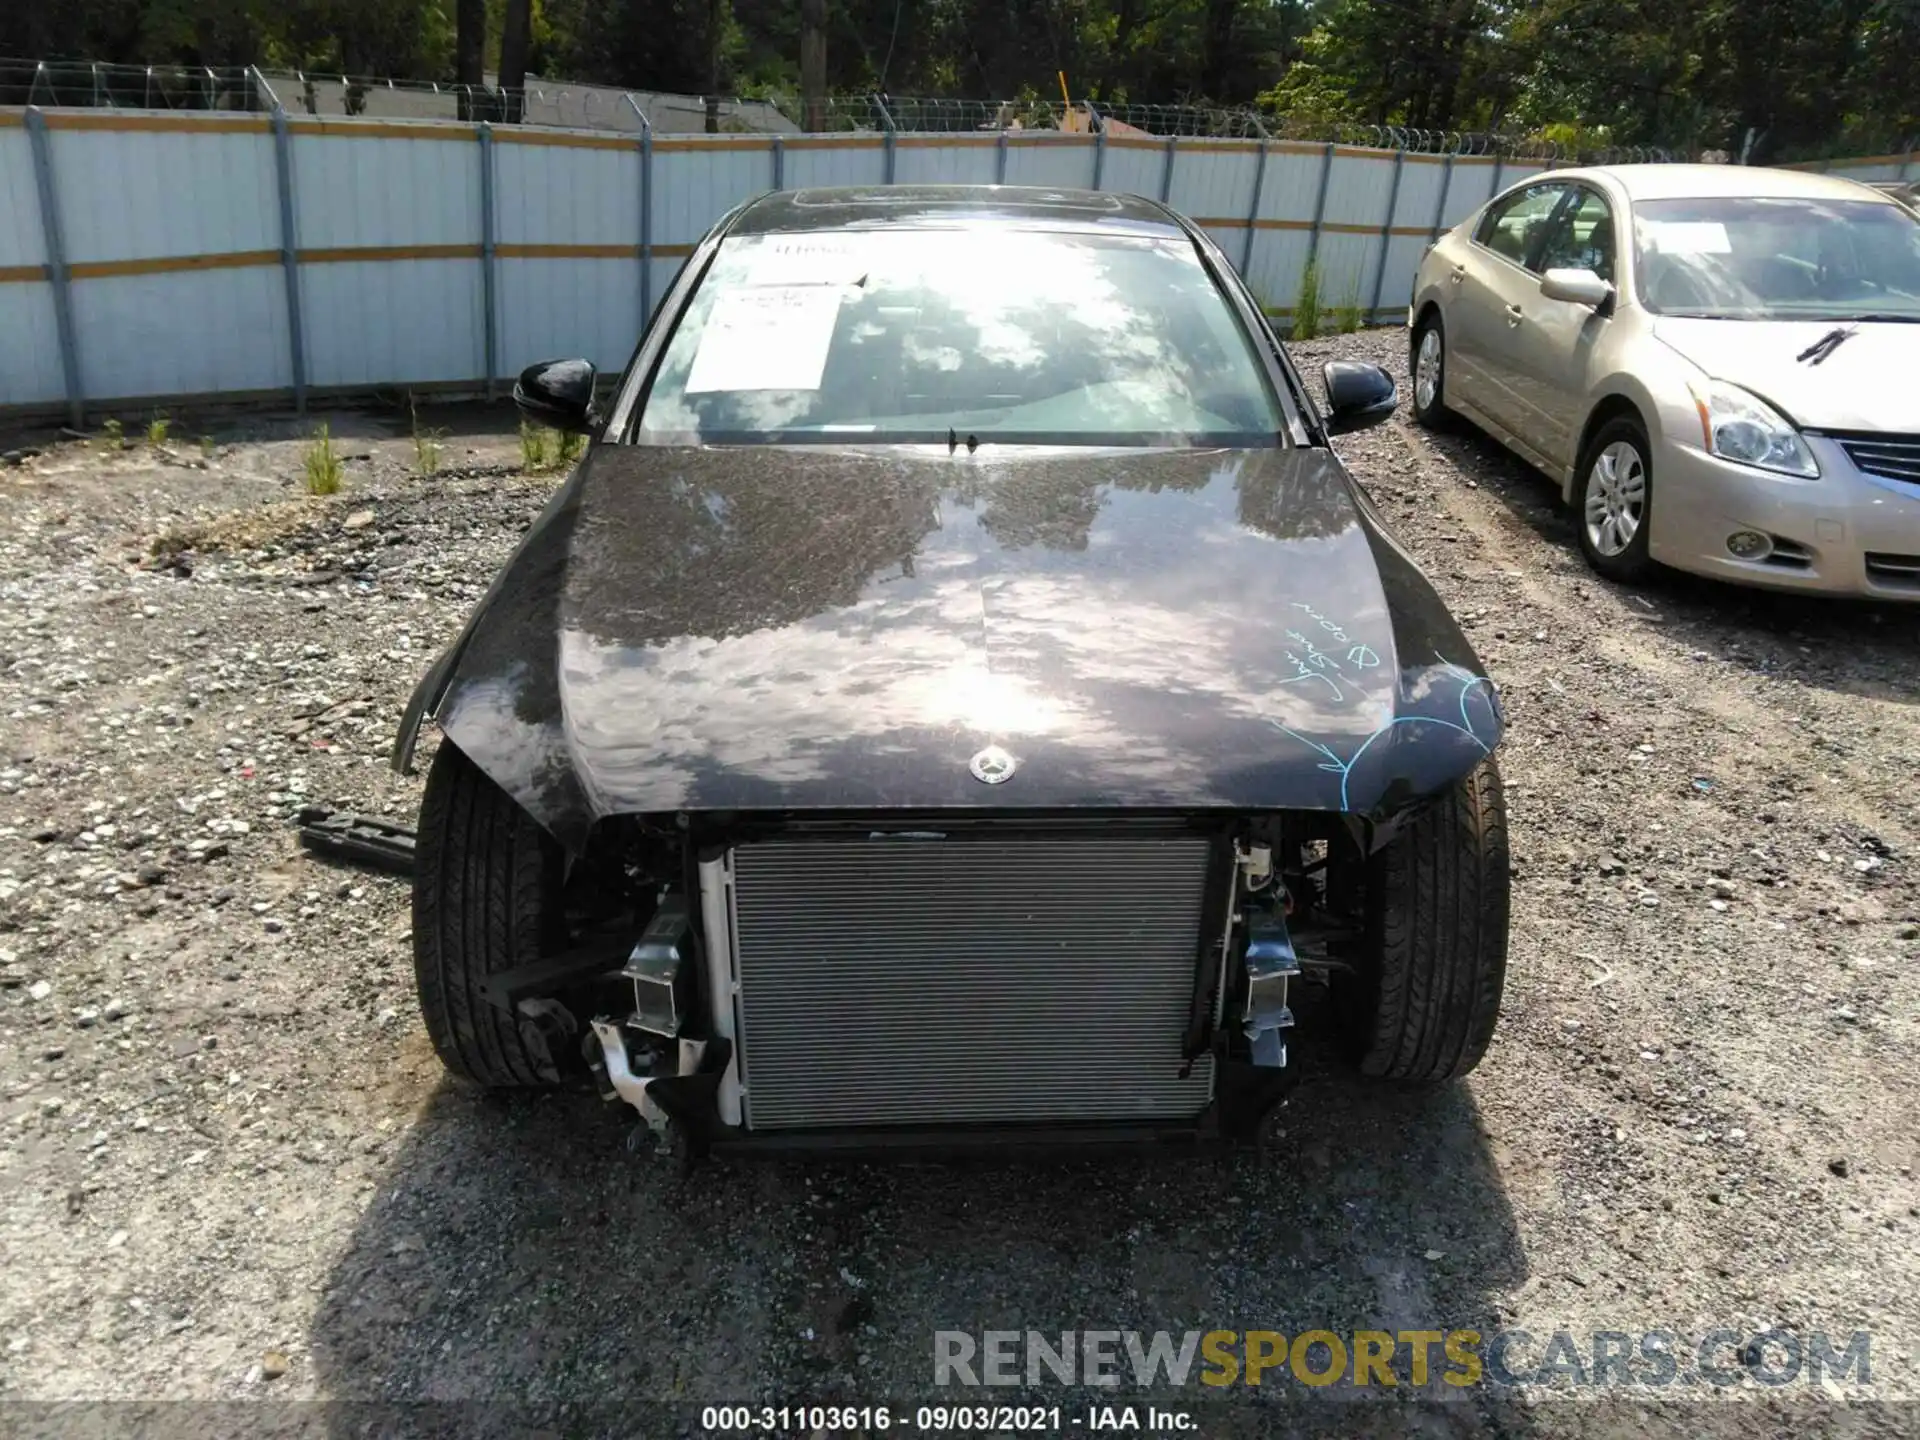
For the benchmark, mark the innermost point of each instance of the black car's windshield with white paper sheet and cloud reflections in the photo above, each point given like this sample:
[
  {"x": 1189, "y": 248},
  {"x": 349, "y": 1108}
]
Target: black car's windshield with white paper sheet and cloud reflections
[{"x": 967, "y": 337}]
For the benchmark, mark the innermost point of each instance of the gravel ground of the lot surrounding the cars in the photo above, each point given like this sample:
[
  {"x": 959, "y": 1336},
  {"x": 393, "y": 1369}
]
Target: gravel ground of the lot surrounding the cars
[{"x": 231, "y": 1166}]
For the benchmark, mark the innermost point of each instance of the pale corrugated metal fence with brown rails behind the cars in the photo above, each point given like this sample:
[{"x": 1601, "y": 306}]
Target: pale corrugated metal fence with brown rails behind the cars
[{"x": 170, "y": 258}]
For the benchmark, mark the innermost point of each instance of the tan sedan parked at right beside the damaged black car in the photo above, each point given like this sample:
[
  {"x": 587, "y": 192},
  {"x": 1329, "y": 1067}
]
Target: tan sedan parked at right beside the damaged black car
[{"x": 1719, "y": 366}]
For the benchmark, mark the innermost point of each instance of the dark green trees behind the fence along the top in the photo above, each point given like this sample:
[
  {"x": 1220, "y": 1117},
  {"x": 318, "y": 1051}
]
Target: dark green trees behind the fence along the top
[{"x": 1796, "y": 76}]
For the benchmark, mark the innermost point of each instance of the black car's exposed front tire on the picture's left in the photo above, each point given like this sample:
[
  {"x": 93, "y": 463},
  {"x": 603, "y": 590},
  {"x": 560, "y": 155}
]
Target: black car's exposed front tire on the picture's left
[{"x": 487, "y": 898}]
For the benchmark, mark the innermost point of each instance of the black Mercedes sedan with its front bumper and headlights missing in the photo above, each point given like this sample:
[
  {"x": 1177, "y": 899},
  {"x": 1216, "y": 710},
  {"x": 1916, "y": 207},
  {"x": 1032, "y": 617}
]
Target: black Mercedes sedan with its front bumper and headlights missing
[{"x": 955, "y": 700}]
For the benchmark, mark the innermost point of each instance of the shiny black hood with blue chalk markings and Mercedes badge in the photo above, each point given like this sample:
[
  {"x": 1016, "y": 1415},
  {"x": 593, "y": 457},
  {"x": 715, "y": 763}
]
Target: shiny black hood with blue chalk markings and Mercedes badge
[{"x": 848, "y": 629}]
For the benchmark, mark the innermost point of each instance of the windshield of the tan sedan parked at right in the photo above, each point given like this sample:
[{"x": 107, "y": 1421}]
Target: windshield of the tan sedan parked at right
[{"x": 1788, "y": 260}]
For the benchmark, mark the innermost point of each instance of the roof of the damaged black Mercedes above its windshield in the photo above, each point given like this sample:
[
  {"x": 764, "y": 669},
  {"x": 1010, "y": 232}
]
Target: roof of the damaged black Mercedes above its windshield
[{"x": 944, "y": 206}]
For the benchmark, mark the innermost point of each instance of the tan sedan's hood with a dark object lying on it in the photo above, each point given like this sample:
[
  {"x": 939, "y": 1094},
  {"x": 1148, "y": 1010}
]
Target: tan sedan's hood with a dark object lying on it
[{"x": 1865, "y": 385}]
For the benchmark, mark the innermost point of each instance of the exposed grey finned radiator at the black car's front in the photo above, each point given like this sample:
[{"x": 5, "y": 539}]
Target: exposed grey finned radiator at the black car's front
[{"x": 971, "y": 978}]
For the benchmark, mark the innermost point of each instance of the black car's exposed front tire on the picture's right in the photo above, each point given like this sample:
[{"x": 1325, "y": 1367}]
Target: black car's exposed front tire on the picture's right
[{"x": 1424, "y": 999}]
